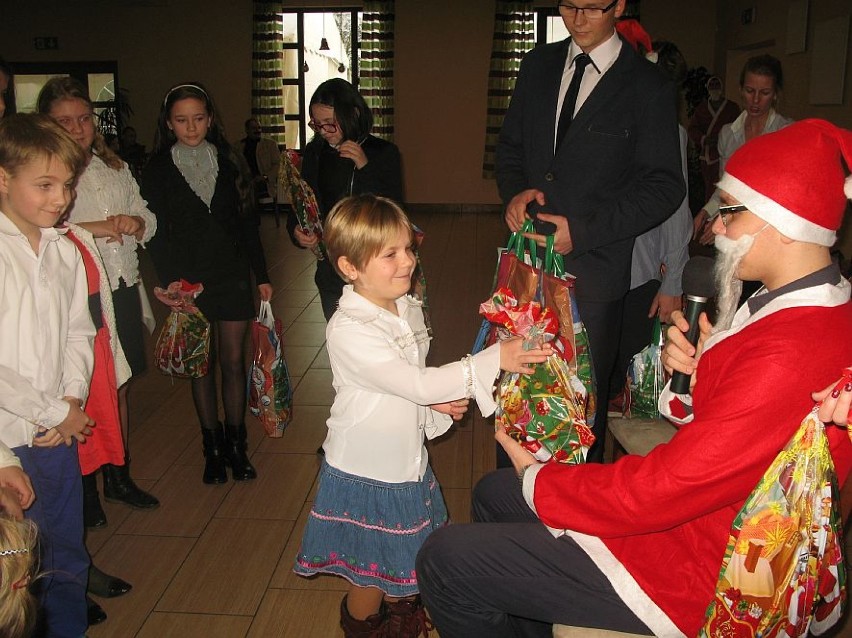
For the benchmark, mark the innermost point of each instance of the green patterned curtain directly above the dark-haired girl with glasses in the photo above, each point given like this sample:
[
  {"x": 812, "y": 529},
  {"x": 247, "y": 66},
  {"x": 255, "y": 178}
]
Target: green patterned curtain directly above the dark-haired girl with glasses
[{"x": 375, "y": 74}]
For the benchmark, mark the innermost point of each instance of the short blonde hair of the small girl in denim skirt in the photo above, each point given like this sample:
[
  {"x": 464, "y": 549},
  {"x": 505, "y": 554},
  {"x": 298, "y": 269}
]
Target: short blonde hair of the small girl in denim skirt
[{"x": 359, "y": 227}]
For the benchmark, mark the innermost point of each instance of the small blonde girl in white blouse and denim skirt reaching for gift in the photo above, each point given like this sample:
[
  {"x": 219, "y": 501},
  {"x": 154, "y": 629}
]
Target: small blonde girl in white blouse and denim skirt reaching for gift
[{"x": 378, "y": 498}]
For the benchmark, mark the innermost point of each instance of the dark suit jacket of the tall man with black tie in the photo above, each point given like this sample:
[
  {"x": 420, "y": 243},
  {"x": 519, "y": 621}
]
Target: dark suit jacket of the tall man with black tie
[{"x": 616, "y": 174}]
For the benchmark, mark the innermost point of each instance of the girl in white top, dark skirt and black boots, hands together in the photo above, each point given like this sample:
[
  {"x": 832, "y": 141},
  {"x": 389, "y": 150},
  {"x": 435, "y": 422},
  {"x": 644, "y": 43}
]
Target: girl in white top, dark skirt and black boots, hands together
[{"x": 109, "y": 206}]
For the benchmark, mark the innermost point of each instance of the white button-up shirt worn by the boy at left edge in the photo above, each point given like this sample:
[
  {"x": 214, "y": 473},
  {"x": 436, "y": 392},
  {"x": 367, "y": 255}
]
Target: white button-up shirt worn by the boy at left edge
[{"x": 46, "y": 332}]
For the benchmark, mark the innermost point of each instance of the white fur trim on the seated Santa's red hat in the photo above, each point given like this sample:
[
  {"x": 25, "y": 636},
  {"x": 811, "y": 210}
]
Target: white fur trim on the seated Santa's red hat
[{"x": 786, "y": 222}]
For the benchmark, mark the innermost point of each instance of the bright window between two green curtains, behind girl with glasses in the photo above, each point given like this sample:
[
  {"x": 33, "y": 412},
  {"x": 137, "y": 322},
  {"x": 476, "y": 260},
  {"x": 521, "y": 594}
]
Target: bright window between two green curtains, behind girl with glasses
[{"x": 318, "y": 45}]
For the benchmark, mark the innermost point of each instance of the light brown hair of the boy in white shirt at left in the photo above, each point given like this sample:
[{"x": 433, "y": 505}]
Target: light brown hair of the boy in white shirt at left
[{"x": 30, "y": 137}]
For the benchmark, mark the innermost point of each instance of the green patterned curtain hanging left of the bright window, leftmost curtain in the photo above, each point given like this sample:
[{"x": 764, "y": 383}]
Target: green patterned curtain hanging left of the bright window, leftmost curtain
[{"x": 267, "y": 63}]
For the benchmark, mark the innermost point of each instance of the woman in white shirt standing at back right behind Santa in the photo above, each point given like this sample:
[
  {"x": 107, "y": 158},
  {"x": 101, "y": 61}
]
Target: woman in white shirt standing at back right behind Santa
[{"x": 761, "y": 80}]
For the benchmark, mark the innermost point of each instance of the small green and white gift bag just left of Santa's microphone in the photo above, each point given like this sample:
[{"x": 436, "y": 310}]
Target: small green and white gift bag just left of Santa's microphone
[{"x": 645, "y": 379}]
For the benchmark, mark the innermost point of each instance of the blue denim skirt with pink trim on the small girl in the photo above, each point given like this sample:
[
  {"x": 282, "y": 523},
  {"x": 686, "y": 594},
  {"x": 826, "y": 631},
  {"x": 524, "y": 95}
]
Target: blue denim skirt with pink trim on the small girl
[{"x": 369, "y": 531}]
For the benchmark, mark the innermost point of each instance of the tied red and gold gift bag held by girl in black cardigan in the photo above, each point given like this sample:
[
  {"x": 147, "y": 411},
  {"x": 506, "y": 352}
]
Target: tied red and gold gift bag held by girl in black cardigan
[{"x": 183, "y": 347}]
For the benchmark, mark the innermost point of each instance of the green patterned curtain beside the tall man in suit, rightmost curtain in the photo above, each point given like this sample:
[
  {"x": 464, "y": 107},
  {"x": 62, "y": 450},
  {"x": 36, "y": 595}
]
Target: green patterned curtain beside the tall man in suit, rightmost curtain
[{"x": 513, "y": 37}]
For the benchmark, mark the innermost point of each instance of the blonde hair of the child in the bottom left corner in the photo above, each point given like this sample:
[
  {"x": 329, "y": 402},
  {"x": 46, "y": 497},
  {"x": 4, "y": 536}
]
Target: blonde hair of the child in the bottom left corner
[{"x": 18, "y": 553}]
